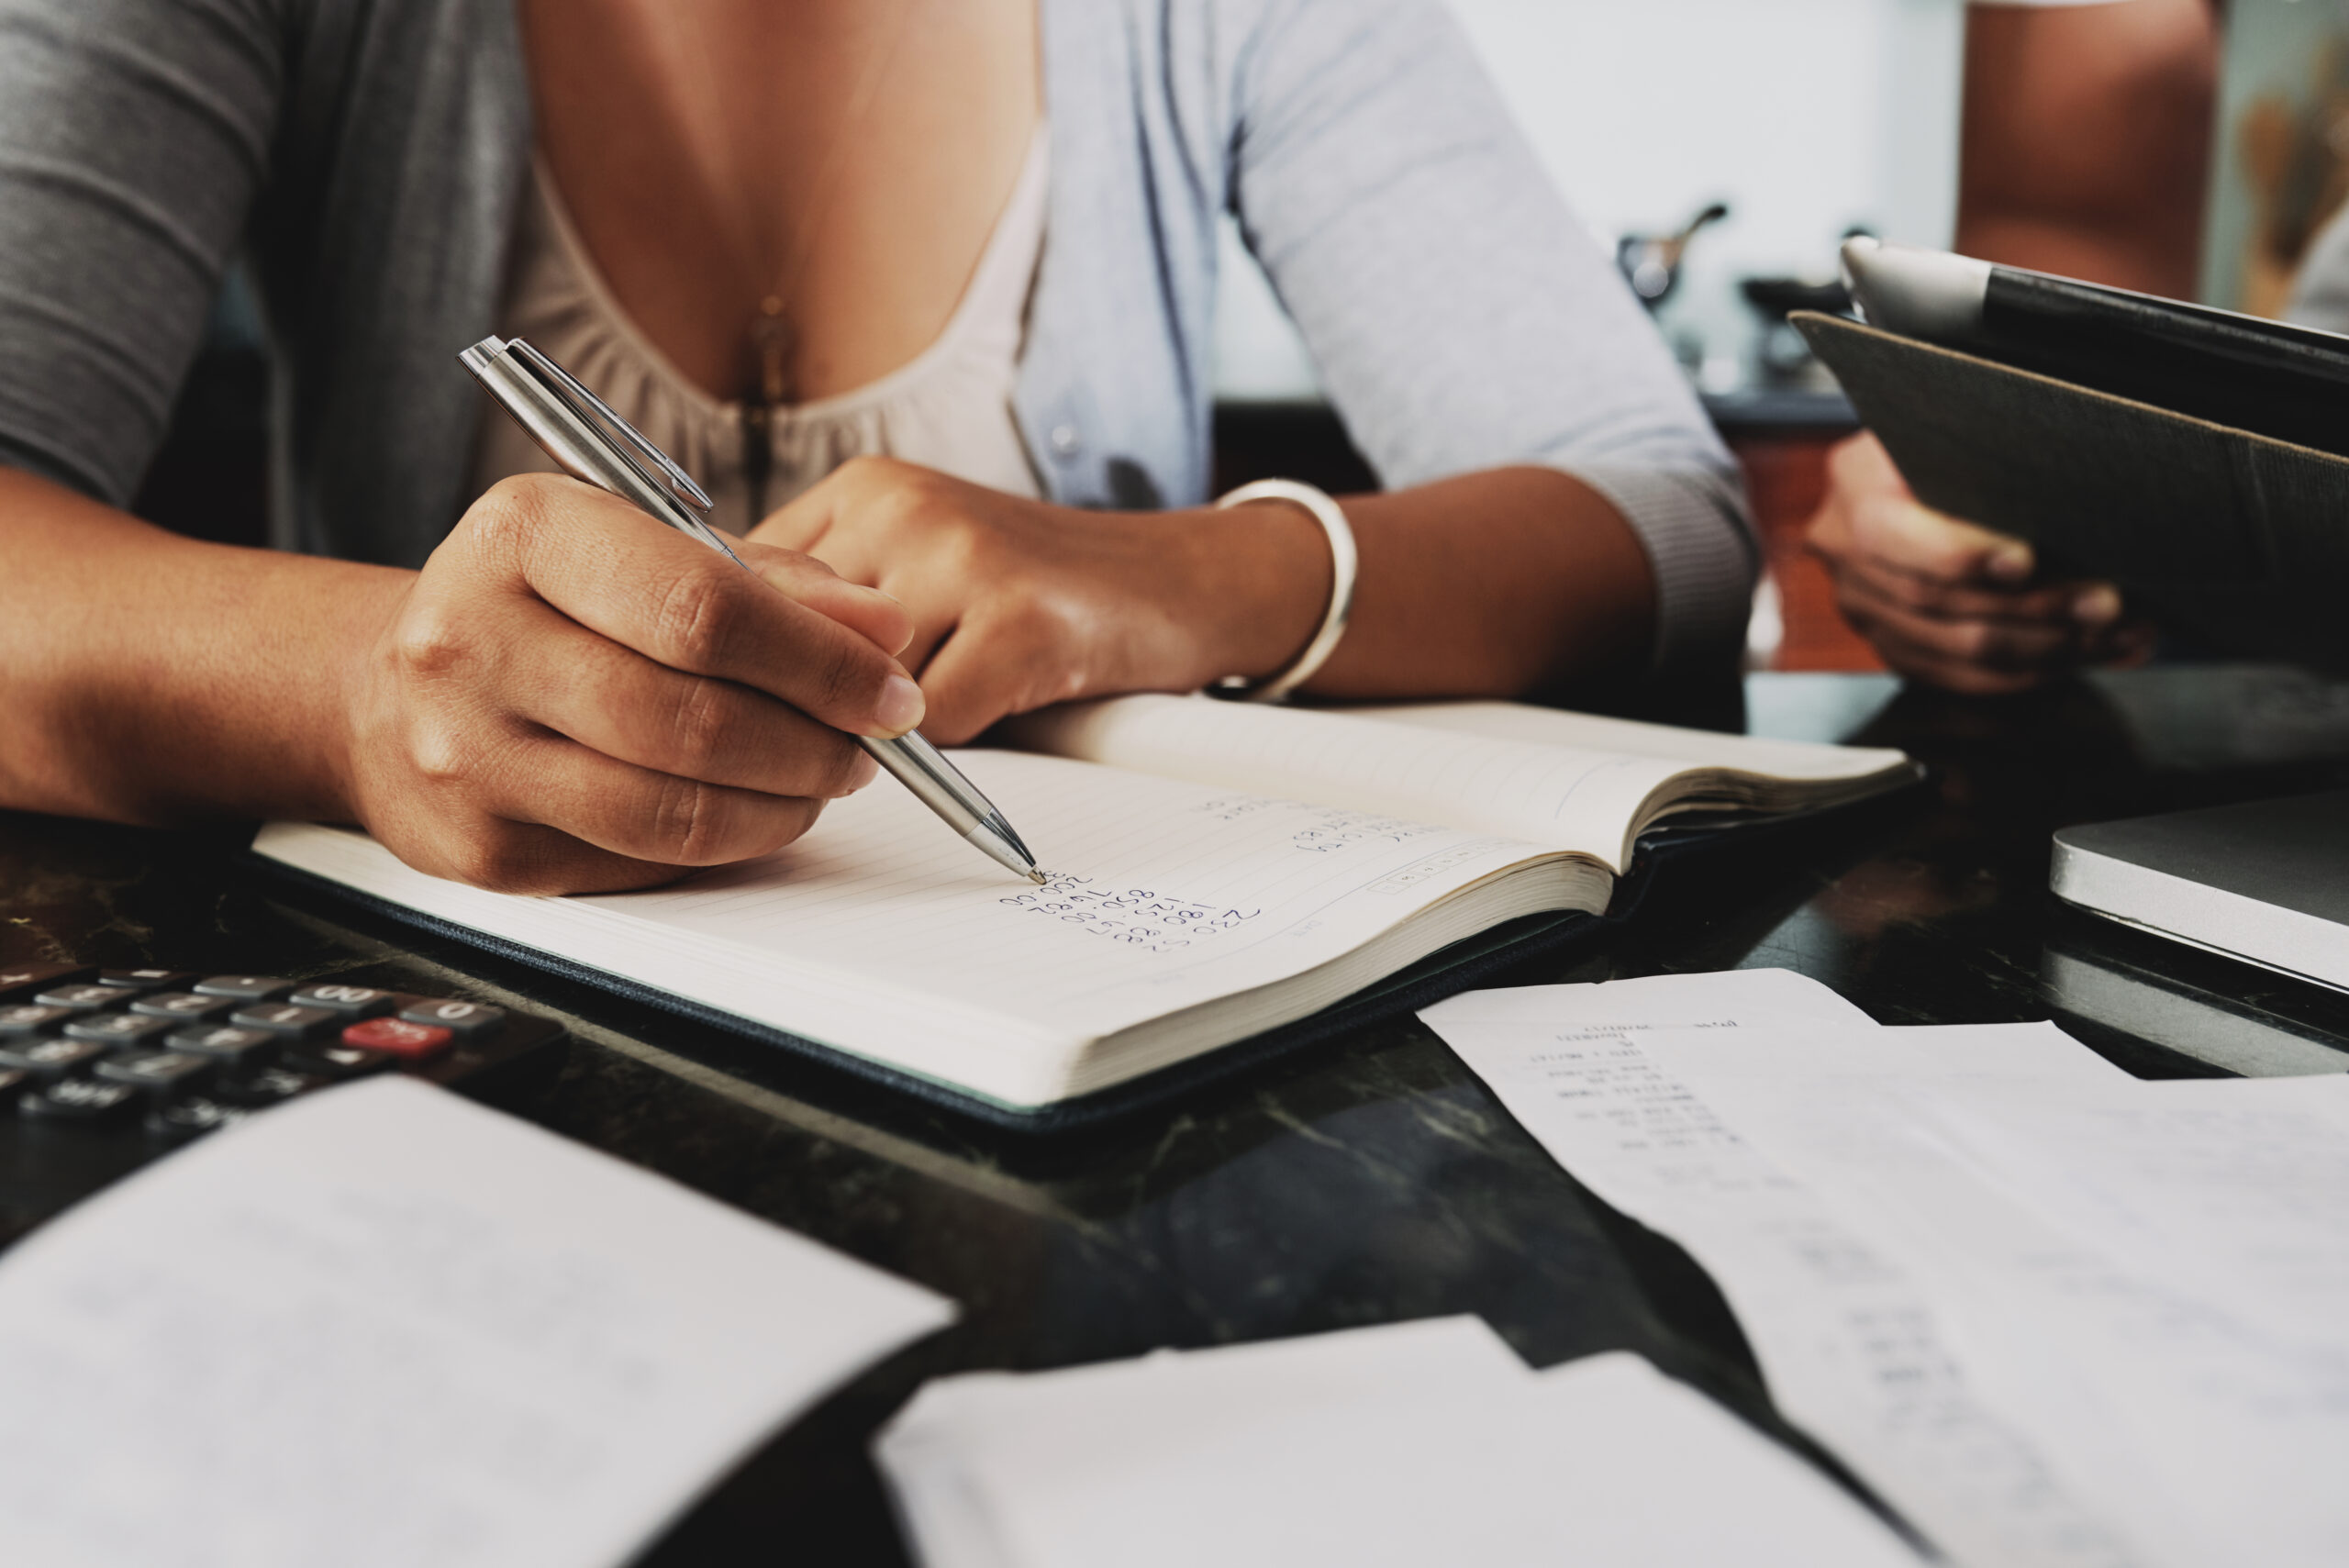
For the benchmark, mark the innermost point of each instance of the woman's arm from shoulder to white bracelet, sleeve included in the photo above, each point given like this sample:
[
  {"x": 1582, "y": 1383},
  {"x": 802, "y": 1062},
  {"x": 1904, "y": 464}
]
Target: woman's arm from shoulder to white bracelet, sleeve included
[{"x": 1481, "y": 353}]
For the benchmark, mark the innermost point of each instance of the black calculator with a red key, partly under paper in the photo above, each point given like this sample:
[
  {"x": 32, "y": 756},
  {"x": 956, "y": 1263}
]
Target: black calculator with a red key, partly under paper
[{"x": 109, "y": 1069}]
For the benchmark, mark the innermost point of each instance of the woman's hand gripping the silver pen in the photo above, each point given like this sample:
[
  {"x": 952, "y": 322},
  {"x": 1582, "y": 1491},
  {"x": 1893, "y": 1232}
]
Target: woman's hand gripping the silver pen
[{"x": 572, "y": 698}]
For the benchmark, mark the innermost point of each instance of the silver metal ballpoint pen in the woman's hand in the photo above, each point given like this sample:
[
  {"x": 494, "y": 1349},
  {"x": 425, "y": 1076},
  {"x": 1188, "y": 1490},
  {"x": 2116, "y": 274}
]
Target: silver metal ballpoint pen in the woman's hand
[{"x": 548, "y": 403}]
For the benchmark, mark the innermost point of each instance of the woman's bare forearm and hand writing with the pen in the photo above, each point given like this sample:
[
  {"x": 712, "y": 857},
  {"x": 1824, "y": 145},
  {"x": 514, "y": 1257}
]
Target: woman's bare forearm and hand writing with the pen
[{"x": 565, "y": 696}]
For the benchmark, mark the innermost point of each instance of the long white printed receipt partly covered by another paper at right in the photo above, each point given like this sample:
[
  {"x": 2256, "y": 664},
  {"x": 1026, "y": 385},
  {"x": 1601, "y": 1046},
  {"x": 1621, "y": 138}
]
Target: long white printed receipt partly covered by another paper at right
[{"x": 1850, "y": 1341}]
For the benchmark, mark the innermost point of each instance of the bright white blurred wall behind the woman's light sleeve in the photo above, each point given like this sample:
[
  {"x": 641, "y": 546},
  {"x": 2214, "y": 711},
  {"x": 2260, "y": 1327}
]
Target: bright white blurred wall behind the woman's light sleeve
[{"x": 1805, "y": 119}]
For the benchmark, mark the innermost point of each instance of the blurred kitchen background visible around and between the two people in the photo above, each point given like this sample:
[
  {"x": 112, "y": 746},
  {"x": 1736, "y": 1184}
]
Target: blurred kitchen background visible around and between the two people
[{"x": 1775, "y": 128}]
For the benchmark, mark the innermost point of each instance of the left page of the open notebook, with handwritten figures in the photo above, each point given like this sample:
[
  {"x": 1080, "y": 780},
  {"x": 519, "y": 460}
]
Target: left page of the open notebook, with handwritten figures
[{"x": 884, "y": 935}]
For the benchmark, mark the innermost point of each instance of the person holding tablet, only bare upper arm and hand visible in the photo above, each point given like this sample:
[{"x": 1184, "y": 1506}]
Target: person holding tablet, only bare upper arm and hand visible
[{"x": 2087, "y": 137}]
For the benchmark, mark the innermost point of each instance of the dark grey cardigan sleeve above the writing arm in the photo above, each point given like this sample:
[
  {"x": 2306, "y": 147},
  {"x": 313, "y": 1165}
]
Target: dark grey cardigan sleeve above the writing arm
[{"x": 133, "y": 140}]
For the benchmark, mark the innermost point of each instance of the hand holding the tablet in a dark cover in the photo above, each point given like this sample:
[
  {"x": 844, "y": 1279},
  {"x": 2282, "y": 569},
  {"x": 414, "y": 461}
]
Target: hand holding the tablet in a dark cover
[{"x": 1948, "y": 602}]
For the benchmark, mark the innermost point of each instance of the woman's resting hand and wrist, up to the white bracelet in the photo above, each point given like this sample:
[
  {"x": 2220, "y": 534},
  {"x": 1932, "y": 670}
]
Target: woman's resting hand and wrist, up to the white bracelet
[{"x": 1021, "y": 604}]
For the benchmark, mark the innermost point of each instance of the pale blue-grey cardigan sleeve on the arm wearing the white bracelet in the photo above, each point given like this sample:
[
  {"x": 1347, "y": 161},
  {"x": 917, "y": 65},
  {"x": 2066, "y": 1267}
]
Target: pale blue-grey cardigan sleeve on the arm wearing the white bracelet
[{"x": 1455, "y": 309}]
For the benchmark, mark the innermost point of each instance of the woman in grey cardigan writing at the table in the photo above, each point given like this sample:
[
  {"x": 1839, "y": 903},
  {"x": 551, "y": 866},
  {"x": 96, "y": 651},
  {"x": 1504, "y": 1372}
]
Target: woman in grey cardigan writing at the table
[{"x": 920, "y": 292}]
